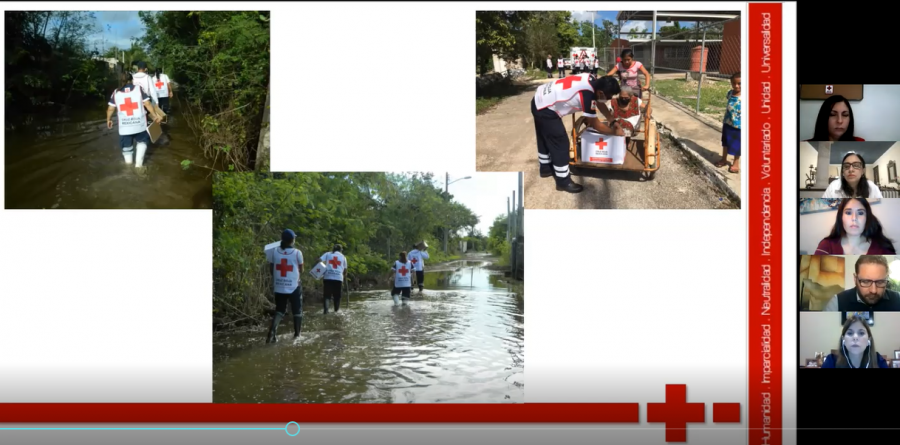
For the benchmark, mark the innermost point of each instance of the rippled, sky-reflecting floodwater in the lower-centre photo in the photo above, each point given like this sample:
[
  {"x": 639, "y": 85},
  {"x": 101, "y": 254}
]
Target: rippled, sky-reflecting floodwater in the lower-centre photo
[{"x": 462, "y": 341}]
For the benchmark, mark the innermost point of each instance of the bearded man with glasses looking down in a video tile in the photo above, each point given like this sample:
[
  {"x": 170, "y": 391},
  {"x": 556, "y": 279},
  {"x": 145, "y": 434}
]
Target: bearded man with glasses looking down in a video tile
[{"x": 871, "y": 292}]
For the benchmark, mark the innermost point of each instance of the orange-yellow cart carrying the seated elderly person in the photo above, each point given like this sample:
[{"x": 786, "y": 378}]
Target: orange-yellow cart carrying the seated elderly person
[{"x": 642, "y": 148}]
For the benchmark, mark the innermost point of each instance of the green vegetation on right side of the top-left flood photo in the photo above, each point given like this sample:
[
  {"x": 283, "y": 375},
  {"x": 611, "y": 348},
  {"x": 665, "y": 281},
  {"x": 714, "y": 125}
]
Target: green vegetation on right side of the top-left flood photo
[{"x": 220, "y": 61}]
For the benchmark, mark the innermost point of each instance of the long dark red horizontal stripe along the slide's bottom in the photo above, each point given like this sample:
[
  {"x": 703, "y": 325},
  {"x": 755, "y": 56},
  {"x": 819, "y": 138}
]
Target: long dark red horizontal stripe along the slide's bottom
[{"x": 317, "y": 413}]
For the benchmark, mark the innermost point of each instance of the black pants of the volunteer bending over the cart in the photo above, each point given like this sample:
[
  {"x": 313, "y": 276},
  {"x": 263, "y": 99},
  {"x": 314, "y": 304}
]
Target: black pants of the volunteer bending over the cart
[{"x": 553, "y": 144}]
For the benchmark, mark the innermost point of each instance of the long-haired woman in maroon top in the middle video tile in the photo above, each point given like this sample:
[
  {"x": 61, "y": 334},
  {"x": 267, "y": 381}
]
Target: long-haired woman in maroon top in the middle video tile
[{"x": 856, "y": 231}]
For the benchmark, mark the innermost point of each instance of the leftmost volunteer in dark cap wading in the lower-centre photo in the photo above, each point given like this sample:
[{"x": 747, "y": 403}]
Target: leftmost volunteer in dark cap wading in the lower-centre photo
[{"x": 287, "y": 265}]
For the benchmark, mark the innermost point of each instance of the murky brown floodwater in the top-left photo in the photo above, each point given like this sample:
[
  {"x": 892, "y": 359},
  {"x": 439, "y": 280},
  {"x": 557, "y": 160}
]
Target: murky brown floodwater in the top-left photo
[{"x": 75, "y": 162}]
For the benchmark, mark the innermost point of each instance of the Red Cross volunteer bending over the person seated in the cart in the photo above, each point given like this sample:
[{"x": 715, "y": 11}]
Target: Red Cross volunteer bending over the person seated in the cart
[{"x": 555, "y": 100}]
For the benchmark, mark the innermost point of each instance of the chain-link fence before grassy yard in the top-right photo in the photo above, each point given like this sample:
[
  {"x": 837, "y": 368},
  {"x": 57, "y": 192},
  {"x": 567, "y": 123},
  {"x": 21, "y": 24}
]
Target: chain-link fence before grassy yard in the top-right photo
[{"x": 692, "y": 66}]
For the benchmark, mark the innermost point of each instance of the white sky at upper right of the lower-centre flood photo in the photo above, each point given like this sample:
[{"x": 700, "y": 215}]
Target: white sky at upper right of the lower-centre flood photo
[{"x": 485, "y": 193}]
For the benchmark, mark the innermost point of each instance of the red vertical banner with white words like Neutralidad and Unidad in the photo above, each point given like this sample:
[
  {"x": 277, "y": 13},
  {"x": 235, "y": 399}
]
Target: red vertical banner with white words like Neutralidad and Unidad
[{"x": 763, "y": 94}]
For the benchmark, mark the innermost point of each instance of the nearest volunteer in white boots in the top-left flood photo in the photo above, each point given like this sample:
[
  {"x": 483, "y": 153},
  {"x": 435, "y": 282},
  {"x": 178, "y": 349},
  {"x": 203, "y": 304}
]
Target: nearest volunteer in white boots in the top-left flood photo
[{"x": 132, "y": 120}]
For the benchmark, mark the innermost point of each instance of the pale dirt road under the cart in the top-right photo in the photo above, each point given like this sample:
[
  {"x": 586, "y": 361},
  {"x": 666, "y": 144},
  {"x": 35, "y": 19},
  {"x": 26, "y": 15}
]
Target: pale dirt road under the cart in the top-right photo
[{"x": 505, "y": 141}]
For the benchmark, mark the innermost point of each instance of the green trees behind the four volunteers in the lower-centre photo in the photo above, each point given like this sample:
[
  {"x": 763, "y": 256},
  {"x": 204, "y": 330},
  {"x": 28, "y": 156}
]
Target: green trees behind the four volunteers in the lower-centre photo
[{"x": 373, "y": 215}]
